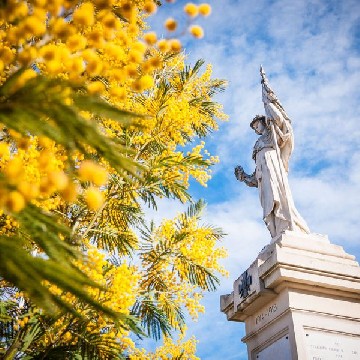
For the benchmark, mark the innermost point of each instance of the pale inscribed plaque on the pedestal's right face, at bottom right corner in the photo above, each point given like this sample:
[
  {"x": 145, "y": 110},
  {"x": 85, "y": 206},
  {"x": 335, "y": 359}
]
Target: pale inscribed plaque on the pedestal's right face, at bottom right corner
[{"x": 323, "y": 345}]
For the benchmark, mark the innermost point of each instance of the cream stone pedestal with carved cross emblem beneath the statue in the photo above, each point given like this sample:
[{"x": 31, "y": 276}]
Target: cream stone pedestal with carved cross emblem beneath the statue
[{"x": 300, "y": 300}]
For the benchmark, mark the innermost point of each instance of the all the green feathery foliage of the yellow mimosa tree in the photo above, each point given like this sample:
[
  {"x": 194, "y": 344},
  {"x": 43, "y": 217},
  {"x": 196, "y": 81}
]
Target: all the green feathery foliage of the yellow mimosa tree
[{"x": 42, "y": 107}]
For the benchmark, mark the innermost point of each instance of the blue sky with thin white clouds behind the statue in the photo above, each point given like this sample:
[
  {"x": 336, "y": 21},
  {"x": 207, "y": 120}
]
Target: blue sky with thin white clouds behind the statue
[{"x": 310, "y": 50}]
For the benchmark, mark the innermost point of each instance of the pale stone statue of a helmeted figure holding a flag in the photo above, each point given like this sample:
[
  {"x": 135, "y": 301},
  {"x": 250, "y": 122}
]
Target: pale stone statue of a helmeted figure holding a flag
[{"x": 271, "y": 154}]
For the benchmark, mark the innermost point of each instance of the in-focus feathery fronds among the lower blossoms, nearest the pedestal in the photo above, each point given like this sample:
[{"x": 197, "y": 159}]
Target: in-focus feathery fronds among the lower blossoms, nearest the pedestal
[{"x": 157, "y": 312}]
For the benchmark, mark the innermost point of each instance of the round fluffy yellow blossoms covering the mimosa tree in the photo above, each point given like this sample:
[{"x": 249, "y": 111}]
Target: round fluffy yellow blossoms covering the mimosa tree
[{"x": 102, "y": 48}]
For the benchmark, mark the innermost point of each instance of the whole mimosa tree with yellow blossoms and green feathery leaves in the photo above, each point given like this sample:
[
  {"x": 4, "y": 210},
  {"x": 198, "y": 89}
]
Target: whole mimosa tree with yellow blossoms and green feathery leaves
[{"x": 100, "y": 119}]
